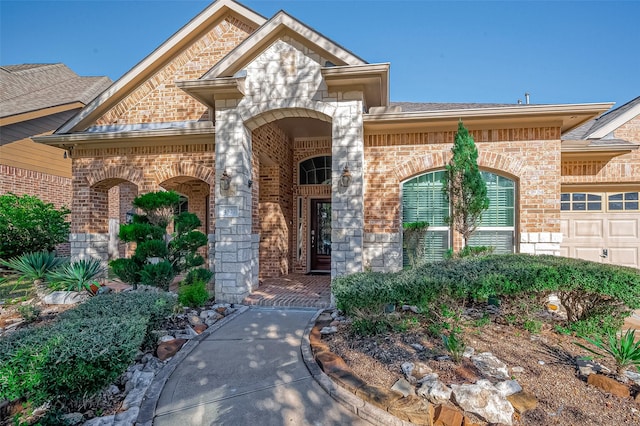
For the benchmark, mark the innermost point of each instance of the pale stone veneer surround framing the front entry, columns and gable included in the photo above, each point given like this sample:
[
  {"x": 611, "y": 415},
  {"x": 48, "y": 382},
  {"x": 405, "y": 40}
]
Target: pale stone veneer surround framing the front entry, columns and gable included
[{"x": 284, "y": 81}]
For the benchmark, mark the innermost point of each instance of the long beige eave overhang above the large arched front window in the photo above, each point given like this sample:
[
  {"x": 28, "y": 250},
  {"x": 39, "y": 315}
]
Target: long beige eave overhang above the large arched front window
[{"x": 566, "y": 117}]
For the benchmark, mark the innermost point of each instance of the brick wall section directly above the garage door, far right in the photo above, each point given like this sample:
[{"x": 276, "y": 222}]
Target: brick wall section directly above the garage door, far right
[{"x": 620, "y": 169}]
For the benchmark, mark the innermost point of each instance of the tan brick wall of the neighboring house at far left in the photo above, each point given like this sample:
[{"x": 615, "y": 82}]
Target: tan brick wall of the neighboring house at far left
[{"x": 49, "y": 188}]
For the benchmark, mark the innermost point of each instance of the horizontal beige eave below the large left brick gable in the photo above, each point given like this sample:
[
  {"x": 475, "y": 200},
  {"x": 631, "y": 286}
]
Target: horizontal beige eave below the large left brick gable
[{"x": 200, "y": 132}]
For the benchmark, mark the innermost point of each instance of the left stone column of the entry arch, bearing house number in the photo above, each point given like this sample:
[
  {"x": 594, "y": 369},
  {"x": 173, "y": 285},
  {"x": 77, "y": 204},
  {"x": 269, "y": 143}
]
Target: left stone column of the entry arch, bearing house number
[{"x": 233, "y": 260}]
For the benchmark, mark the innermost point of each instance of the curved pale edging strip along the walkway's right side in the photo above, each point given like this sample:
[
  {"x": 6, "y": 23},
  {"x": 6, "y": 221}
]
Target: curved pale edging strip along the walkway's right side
[{"x": 358, "y": 406}]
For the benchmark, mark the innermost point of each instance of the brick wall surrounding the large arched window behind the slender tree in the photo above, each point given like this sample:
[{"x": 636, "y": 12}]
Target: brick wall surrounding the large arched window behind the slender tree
[{"x": 533, "y": 164}]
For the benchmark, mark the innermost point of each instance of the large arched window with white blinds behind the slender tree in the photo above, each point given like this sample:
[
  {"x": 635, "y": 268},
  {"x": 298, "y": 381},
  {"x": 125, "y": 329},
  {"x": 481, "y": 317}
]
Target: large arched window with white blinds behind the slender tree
[{"x": 424, "y": 200}]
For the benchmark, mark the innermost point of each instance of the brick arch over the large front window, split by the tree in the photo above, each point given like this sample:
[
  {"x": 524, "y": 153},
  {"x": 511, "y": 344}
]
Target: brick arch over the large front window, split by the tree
[{"x": 438, "y": 160}]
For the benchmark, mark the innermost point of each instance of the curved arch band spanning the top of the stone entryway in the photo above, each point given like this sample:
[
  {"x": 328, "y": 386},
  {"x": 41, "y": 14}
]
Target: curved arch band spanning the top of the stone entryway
[{"x": 278, "y": 109}]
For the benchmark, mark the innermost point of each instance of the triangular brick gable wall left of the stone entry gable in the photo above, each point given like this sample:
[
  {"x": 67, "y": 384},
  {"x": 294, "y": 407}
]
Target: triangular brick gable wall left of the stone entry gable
[{"x": 159, "y": 100}]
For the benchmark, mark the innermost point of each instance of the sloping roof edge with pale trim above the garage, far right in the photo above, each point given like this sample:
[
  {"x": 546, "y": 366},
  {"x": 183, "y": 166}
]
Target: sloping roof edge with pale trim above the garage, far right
[{"x": 606, "y": 123}]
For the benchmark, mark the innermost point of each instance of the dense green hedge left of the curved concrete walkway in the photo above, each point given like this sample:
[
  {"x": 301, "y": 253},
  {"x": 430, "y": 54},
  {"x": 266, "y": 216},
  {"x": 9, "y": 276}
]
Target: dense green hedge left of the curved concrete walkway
[{"x": 80, "y": 353}]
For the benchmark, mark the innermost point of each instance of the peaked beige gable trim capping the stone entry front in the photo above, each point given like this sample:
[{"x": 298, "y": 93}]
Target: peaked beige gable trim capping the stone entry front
[{"x": 281, "y": 23}]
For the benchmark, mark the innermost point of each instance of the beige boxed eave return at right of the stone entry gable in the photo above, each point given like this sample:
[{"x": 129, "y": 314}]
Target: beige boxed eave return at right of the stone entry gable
[{"x": 371, "y": 79}]
